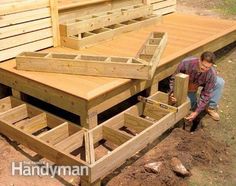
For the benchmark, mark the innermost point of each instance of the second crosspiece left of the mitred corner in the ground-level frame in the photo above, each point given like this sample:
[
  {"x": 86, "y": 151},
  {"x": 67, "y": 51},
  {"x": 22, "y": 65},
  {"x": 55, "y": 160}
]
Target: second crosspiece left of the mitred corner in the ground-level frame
[{"x": 56, "y": 134}]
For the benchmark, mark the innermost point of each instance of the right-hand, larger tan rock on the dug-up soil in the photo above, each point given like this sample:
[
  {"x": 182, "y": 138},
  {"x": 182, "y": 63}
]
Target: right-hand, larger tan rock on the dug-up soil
[{"x": 178, "y": 167}]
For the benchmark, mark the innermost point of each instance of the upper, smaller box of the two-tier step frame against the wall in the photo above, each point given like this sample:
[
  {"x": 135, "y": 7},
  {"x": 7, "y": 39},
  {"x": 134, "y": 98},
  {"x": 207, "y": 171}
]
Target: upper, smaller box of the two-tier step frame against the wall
[{"x": 106, "y": 19}]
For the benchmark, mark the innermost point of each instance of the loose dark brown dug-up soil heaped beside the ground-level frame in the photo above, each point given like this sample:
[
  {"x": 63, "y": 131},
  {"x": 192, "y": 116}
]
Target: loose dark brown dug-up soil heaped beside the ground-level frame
[{"x": 192, "y": 149}]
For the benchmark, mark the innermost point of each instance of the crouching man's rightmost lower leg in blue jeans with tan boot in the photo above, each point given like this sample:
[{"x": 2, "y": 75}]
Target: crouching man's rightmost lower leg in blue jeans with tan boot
[{"x": 213, "y": 103}]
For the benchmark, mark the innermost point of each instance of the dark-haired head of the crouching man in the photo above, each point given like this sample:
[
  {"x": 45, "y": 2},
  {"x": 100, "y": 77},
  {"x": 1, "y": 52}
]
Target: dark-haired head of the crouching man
[{"x": 207, "y": 60}]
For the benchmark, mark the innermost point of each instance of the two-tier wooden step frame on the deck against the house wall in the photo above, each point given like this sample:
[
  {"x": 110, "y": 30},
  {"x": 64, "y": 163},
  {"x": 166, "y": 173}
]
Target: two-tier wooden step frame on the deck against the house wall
[{"x": 88, "y": 30}]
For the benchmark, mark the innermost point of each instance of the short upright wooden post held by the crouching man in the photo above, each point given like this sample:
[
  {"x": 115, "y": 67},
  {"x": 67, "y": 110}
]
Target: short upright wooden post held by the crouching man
[{"x": 181, "y": 88}]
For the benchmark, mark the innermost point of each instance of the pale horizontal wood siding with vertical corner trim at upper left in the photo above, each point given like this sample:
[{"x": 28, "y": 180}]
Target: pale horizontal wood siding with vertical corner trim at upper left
[{"x": 27, "y": 26}]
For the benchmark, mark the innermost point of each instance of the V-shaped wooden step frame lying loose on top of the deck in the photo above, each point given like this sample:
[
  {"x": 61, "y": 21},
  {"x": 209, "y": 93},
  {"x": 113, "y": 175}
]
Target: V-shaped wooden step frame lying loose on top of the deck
[{"x": 141, "y": 67}]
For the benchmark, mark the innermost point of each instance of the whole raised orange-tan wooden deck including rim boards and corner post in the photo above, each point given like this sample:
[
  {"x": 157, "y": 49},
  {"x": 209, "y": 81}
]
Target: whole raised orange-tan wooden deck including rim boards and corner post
[{"x": 88, "y": 96}]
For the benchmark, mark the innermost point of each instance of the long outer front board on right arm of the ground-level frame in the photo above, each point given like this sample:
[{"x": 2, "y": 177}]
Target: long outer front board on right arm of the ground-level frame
[{"x": 120, "y": 154}]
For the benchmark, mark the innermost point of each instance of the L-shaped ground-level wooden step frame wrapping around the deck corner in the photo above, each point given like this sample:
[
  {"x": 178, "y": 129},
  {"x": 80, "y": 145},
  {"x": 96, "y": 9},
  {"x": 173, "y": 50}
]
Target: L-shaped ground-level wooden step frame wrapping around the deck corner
[{"x": 59, "y": 140}]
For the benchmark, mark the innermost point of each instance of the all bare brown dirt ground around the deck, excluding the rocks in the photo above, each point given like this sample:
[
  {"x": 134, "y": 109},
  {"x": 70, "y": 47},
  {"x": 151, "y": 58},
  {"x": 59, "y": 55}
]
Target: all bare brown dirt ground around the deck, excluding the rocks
[{"x": 209, "y": 154}]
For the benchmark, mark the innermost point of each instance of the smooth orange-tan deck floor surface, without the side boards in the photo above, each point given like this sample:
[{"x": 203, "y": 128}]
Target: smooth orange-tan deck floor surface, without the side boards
[{"x": 185, "y": 32}]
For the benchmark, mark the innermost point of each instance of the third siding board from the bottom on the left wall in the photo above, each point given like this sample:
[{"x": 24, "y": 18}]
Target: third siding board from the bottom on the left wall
[{"x": 25, "y": 27}]
